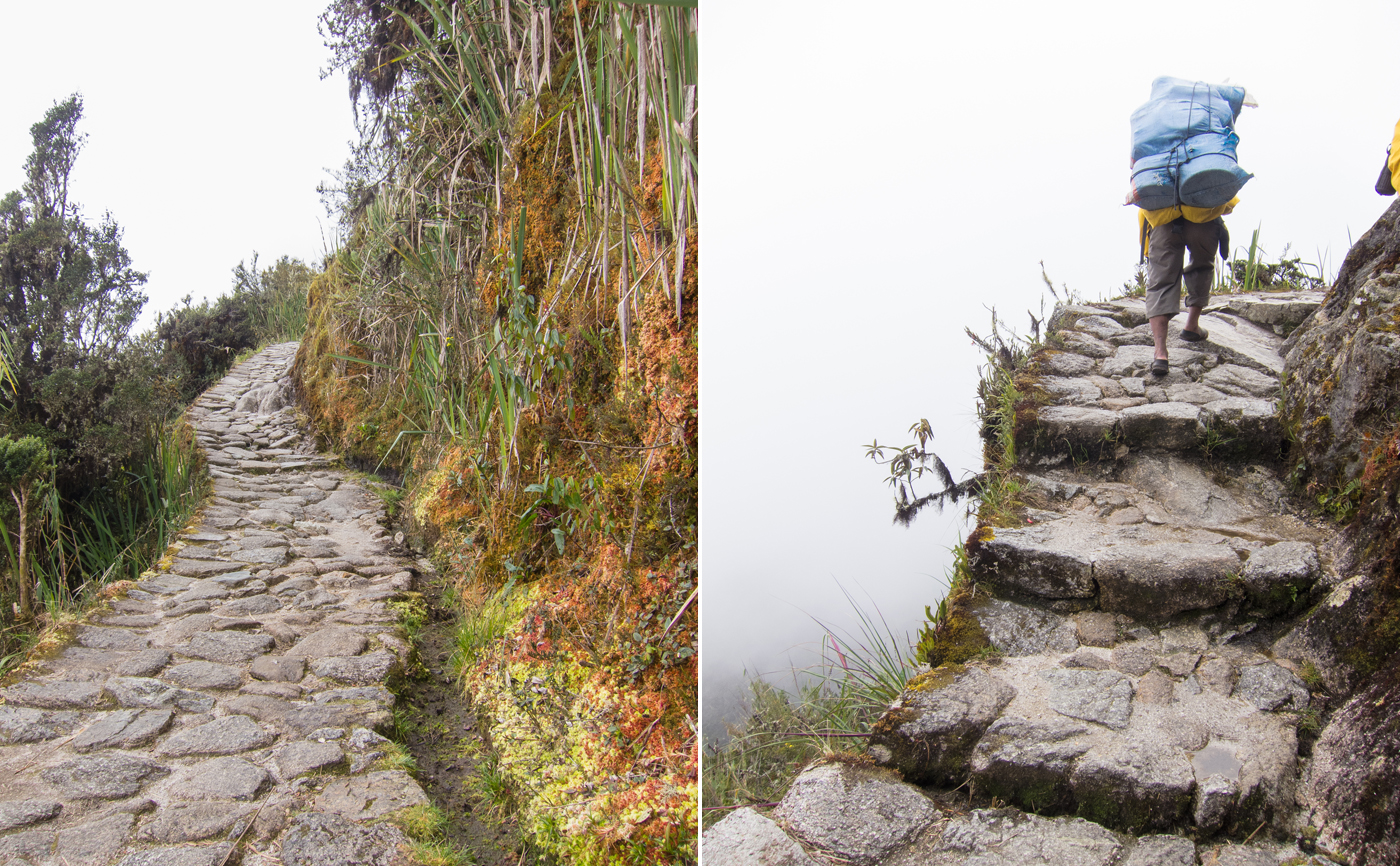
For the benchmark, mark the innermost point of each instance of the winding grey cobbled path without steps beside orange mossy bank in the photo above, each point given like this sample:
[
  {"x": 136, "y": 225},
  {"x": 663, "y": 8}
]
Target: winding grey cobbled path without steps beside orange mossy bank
[{"x": 233, "y": 696}]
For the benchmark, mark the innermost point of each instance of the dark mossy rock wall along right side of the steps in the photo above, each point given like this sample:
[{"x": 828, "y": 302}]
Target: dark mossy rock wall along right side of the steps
[{"x": 1343, "y": 395}]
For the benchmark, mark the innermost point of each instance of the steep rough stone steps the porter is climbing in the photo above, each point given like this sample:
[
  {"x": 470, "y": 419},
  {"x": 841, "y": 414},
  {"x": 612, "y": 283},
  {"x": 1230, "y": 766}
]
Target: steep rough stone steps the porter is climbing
[{"x": 1147, "y": 678}]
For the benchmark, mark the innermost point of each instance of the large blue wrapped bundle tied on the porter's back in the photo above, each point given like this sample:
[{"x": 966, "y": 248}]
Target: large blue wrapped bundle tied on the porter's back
[{"x": 1184, "y": 145}]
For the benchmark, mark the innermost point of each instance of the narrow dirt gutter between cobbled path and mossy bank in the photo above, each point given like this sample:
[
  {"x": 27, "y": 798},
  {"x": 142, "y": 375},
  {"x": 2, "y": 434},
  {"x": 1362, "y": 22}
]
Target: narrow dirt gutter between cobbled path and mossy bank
[{"x": 444, "y": 739}]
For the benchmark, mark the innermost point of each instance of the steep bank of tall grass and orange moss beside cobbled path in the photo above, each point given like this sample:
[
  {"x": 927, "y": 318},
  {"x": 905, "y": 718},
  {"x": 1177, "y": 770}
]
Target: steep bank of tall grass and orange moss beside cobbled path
[{"x": 510, "y": 327}]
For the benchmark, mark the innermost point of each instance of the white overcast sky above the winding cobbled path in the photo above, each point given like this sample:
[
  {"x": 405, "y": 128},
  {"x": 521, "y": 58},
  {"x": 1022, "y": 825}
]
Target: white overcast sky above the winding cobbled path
[{"x": 208, "y": 127}]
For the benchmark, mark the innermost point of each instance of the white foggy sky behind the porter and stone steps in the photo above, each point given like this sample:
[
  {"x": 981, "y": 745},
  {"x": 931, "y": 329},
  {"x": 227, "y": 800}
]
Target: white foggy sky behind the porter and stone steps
[{"x": 876, "y": 174}]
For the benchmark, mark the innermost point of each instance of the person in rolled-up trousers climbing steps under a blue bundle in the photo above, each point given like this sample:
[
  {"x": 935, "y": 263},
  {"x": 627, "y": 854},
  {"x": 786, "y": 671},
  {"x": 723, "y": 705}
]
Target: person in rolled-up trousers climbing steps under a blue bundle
[{"x": 1185, "y": 178}]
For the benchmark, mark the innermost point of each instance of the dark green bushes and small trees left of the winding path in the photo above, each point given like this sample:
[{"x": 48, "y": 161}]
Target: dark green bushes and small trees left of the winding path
[{"x": 99, "y": 471}]
